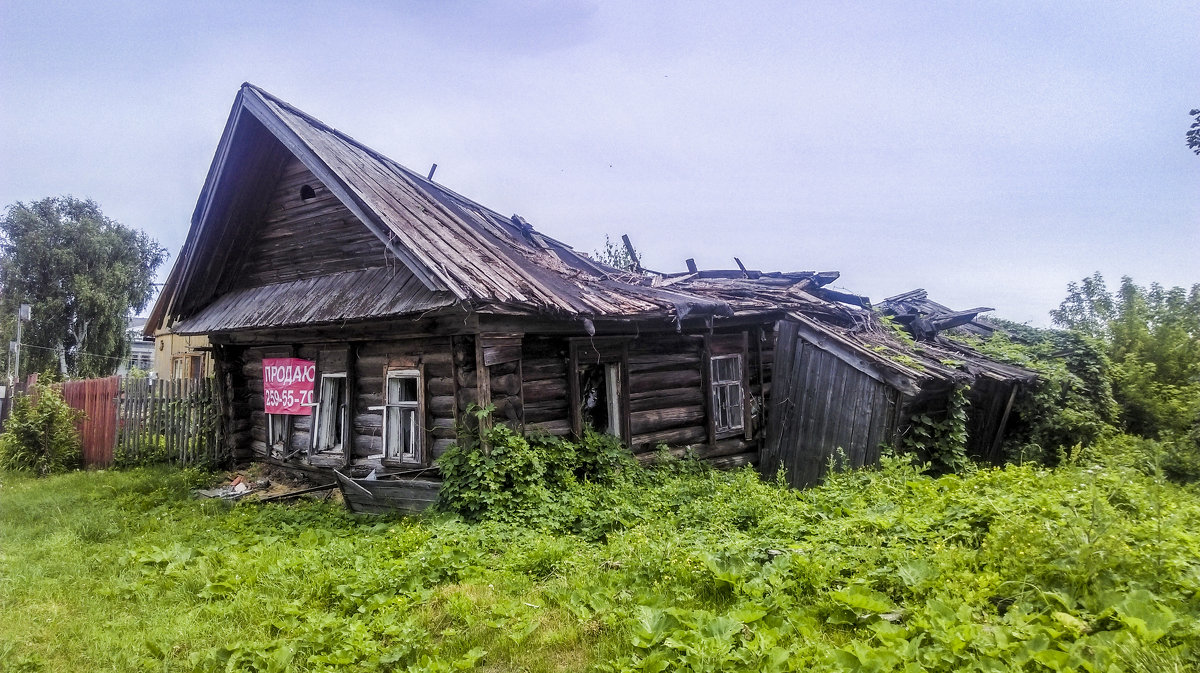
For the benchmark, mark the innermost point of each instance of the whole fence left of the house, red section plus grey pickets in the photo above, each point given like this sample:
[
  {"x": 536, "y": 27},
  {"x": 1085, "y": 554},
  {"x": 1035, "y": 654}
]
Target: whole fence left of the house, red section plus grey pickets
[{"x": 137, "y": 420}]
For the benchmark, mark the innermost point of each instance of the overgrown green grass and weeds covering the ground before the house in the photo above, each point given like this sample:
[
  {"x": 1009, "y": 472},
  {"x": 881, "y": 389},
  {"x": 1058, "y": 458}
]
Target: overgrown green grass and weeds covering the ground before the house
[{"x": 1084, "y": 568}]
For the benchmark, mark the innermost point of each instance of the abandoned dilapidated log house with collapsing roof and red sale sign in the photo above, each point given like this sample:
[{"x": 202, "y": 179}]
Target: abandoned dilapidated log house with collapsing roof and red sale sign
[{"x": 356, "y": 310}]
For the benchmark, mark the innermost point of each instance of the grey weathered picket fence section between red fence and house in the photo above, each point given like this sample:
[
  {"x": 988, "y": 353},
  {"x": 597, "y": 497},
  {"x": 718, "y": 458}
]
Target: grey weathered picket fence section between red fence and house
[{"x": 173, "y": 422}]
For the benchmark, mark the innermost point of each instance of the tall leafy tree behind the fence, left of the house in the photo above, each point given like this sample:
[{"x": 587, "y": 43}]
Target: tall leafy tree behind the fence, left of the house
[{"x": 83, "y": 274}]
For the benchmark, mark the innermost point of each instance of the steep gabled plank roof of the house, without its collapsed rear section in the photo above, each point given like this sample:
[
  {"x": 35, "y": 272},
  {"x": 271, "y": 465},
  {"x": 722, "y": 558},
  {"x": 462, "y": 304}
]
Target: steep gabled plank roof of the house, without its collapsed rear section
[{"x": 457, "y": 250}]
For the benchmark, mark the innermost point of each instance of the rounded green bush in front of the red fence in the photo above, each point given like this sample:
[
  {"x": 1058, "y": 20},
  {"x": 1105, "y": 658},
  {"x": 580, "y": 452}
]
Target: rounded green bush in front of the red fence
[{"x": 41, "y": 435}]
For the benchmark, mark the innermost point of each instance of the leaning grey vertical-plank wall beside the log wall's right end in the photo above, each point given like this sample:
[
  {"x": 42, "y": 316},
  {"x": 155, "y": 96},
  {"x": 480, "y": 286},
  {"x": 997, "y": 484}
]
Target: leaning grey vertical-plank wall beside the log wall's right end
[{"x": 824, "y": 411}]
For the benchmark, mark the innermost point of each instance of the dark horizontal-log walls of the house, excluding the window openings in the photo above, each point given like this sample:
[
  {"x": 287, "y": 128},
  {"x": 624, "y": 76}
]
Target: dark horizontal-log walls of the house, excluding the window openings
[{"x": 668, "y": 398}]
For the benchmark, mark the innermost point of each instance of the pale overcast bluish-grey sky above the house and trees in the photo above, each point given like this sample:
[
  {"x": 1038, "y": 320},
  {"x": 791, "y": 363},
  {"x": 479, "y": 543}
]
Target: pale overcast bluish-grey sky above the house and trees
[{"x": 987, "y": 152}]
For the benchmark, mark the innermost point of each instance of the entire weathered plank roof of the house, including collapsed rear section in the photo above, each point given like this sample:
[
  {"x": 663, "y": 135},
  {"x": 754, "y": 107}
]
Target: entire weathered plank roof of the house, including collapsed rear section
[{"x": 449, "y": 251}]
